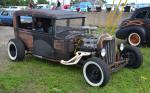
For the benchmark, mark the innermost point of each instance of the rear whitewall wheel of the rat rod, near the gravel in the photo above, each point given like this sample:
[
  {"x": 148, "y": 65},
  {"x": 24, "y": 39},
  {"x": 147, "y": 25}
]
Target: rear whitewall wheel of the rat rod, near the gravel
[{"x": 16, "y": 50}]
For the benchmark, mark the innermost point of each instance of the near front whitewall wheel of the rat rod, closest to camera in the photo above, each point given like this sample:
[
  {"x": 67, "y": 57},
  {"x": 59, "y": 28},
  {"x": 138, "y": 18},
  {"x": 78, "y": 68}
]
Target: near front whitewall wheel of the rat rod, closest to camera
[{"x": 96, "y": 72}]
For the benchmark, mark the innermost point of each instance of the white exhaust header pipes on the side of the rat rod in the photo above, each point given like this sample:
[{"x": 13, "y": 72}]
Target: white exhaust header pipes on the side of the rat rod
[{"x": 76, "y": 58}]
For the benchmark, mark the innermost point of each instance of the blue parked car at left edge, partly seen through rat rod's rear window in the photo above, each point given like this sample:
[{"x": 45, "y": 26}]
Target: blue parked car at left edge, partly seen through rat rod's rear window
[{"x": 6, "y": 17}]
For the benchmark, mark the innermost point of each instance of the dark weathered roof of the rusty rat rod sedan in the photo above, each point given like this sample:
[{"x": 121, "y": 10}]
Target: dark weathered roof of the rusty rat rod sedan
[{"x": 47, "y": 13}]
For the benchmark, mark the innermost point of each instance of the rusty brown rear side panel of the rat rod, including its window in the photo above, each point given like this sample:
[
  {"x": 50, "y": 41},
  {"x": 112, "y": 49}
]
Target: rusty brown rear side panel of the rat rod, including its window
[{"x": 24, "y": 29}]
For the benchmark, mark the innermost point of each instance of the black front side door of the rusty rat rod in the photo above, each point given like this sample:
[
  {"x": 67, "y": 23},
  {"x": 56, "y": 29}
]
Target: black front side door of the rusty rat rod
[{"x": 43, "y": 39}]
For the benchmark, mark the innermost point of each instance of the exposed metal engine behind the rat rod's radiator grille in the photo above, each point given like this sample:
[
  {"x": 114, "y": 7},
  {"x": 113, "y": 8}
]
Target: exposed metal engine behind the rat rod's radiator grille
[{"x": 87, "y": 40}]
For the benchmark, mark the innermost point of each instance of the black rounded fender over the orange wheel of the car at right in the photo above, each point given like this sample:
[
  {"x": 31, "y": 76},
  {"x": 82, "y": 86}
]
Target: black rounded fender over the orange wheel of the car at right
[{"x": 124, "y": 32}]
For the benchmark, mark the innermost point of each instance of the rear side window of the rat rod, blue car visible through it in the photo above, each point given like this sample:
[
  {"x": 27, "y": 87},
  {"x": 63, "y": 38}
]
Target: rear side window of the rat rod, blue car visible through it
[{"x": 25, "y": 22}]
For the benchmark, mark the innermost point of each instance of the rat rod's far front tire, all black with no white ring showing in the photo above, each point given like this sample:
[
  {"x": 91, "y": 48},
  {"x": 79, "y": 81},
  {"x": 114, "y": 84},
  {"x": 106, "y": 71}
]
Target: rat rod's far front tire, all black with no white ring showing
[{"x": 134, "y": 55}]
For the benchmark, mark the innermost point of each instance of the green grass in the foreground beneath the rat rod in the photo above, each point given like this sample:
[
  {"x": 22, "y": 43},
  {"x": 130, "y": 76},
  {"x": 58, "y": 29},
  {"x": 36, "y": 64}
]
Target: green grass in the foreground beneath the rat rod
[{"x": 34, "y": 75}]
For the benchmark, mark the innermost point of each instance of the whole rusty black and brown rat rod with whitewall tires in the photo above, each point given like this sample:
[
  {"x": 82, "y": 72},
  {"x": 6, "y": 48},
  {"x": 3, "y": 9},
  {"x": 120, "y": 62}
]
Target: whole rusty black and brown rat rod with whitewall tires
[{"x": 61, "y": 36}]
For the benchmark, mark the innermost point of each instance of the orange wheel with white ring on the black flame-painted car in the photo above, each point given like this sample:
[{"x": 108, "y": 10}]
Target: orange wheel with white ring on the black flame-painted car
[{"x": 134, "y": 39}]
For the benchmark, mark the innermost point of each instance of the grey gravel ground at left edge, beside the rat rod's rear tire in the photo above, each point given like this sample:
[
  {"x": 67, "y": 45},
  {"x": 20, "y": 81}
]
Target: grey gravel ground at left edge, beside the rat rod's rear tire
[{"x": 6, "y": 33}]
